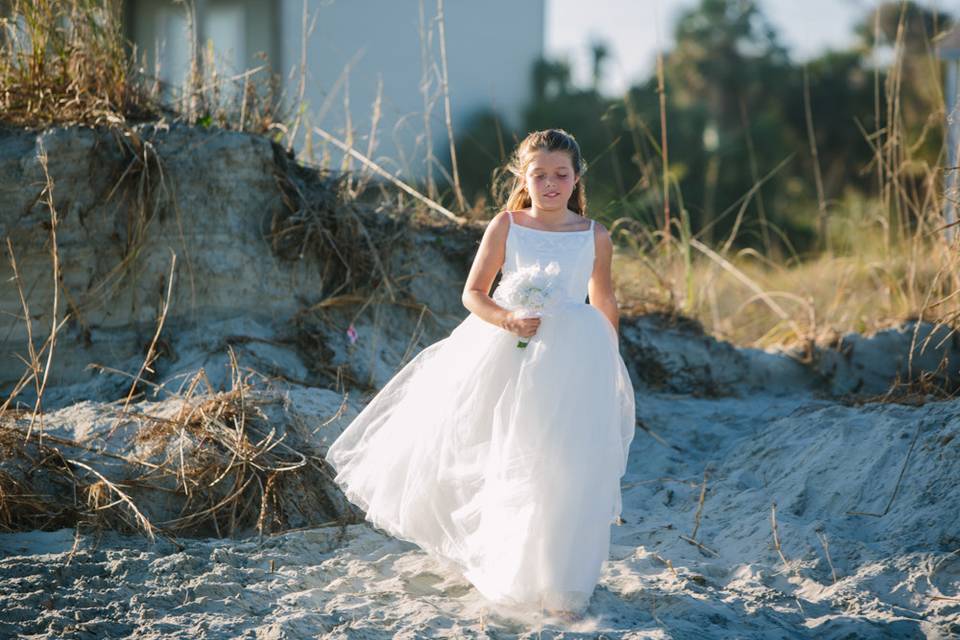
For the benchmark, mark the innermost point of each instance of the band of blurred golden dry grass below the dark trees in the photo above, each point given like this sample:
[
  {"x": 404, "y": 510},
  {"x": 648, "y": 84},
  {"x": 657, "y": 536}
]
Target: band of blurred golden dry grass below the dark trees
[{"x": 768, "y": 304}]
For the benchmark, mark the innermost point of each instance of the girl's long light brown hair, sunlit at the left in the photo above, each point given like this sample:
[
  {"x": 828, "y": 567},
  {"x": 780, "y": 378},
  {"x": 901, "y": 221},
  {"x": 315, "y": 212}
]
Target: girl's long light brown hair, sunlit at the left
[{"x": 512, "y": 176}]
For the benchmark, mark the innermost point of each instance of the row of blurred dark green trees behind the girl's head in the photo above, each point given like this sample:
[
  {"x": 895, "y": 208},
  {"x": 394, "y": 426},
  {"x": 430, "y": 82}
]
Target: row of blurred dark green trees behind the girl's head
[{"x": 736, "y": 114}]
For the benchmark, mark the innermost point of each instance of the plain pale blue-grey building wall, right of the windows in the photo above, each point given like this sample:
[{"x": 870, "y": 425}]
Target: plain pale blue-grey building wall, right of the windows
[{"x": 491, "y": 47}]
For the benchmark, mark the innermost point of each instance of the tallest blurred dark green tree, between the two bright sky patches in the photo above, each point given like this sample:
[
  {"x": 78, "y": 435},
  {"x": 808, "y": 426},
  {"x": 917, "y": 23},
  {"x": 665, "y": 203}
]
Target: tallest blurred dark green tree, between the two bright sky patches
[{"x": 728, "y": 72}]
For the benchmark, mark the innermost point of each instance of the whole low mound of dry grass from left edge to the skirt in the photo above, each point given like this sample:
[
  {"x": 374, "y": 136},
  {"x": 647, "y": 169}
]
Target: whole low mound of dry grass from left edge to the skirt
[{"x": 223, "y": 464}]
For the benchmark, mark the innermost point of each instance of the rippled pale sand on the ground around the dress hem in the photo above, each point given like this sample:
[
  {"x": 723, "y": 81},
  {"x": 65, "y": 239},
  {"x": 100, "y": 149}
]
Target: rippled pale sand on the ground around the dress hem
[{"x": 898, "y": 575}]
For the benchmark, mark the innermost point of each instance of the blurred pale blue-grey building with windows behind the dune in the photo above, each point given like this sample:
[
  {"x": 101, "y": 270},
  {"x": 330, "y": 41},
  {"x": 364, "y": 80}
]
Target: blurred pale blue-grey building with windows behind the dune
[{"x": 354, "y": 46}]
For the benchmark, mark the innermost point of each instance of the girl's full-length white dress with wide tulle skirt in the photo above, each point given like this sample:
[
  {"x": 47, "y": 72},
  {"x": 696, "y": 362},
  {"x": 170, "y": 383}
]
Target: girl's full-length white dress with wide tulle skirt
[{"x": 505, "y": 461}]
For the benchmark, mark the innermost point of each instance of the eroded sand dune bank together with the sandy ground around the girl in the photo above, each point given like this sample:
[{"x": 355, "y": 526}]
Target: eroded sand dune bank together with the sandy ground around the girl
[{"x": 768, "y": 494}]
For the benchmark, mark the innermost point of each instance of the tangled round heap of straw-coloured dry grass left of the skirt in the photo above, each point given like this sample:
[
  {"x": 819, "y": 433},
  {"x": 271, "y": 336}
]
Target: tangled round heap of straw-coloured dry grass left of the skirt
[{"x": 230, "y": 464}]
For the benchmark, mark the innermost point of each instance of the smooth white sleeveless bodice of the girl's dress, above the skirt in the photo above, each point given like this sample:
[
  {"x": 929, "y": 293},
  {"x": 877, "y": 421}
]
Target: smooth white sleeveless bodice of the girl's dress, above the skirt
[{"x": 573, "y": 251}]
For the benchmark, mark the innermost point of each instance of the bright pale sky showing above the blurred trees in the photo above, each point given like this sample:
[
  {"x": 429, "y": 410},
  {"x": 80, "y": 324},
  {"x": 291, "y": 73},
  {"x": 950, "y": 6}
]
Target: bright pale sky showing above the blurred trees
[{"x": 633, "y": 28}]
